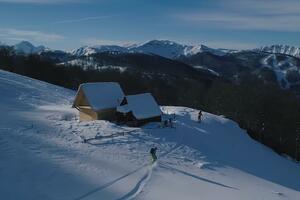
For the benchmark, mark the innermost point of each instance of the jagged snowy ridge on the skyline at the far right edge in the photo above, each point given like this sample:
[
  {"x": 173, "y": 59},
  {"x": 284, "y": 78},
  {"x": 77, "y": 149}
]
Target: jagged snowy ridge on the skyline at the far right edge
[{"x": 282, "y": 49}]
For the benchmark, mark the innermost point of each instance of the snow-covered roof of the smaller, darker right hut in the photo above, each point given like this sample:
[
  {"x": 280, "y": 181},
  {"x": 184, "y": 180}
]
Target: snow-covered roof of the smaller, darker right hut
[{"x": 143, "y": 106}]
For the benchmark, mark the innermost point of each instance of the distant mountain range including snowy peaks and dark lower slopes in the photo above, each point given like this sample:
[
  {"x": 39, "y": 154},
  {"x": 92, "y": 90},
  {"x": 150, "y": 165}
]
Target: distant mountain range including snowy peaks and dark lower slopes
[{"x": 279, "y": 64}]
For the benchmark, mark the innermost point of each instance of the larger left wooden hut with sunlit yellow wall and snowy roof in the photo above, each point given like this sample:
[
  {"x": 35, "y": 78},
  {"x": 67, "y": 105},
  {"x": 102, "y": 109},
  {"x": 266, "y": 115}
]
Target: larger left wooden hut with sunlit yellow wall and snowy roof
[{"x": 98, "y": 100}]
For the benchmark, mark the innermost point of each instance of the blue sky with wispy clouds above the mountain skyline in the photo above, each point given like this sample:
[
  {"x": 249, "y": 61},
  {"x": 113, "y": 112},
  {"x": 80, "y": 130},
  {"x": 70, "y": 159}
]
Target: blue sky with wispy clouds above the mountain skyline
[{"x": 69, "y": 24}]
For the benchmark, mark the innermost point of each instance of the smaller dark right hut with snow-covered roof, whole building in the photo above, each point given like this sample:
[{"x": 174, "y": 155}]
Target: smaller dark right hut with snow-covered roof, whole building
[{"x": 136, "y": 110}]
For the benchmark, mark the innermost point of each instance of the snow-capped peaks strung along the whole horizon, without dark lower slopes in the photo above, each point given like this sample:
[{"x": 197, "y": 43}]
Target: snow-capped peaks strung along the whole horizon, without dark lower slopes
[{"x": 165, "y": 48}]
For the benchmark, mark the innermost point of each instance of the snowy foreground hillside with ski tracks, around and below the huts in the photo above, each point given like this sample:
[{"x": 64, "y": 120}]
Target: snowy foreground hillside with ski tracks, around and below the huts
[{"x": 42, "y": 156}]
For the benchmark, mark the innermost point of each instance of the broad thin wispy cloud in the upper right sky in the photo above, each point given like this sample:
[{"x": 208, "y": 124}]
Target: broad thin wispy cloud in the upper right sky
[{"x": 275, "y": 15}]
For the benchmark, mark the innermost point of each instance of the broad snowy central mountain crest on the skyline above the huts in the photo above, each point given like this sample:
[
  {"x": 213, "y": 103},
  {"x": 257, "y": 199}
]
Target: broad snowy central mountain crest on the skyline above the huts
[{"x": 163, "y": 48}]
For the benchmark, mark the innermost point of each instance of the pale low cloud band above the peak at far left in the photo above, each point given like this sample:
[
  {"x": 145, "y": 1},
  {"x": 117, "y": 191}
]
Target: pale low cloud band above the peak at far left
[{"x": 37, "y": 36}]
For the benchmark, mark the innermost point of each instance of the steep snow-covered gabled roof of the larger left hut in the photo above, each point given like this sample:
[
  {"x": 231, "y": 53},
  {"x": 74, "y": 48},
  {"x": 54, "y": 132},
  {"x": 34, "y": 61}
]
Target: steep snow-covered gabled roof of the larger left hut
[{"x": 99, "y": 95}]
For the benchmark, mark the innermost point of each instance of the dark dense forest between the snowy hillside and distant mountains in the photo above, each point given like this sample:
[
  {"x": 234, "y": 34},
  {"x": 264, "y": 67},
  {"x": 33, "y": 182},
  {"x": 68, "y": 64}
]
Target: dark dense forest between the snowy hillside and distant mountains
[{"x": 270, "y": 115}]
